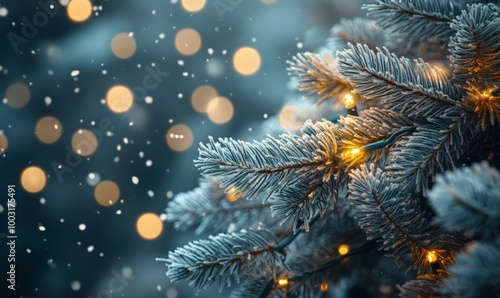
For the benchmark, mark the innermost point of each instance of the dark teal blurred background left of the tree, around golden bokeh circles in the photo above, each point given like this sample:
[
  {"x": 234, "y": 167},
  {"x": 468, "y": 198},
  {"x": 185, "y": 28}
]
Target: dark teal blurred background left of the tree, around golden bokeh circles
[{"x": 54, "y": 256}]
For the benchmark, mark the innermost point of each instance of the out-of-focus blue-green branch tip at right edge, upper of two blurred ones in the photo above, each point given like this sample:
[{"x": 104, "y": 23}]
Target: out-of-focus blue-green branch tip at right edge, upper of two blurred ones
[{"x": 468, "y": 200}]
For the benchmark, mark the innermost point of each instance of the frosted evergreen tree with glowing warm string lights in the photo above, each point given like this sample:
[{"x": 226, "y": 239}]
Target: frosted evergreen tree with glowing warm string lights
[{"x": 402, "y": 198}]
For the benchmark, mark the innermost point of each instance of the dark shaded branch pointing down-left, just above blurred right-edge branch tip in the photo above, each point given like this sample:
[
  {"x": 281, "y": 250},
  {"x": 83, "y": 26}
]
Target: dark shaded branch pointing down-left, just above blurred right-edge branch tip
[{"x": 431, "y": 150}]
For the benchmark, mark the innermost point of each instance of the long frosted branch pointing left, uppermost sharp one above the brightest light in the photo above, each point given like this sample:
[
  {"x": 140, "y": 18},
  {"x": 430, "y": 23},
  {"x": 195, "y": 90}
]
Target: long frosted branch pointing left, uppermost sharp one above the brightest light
[{"x": 415, "y": 91}]
